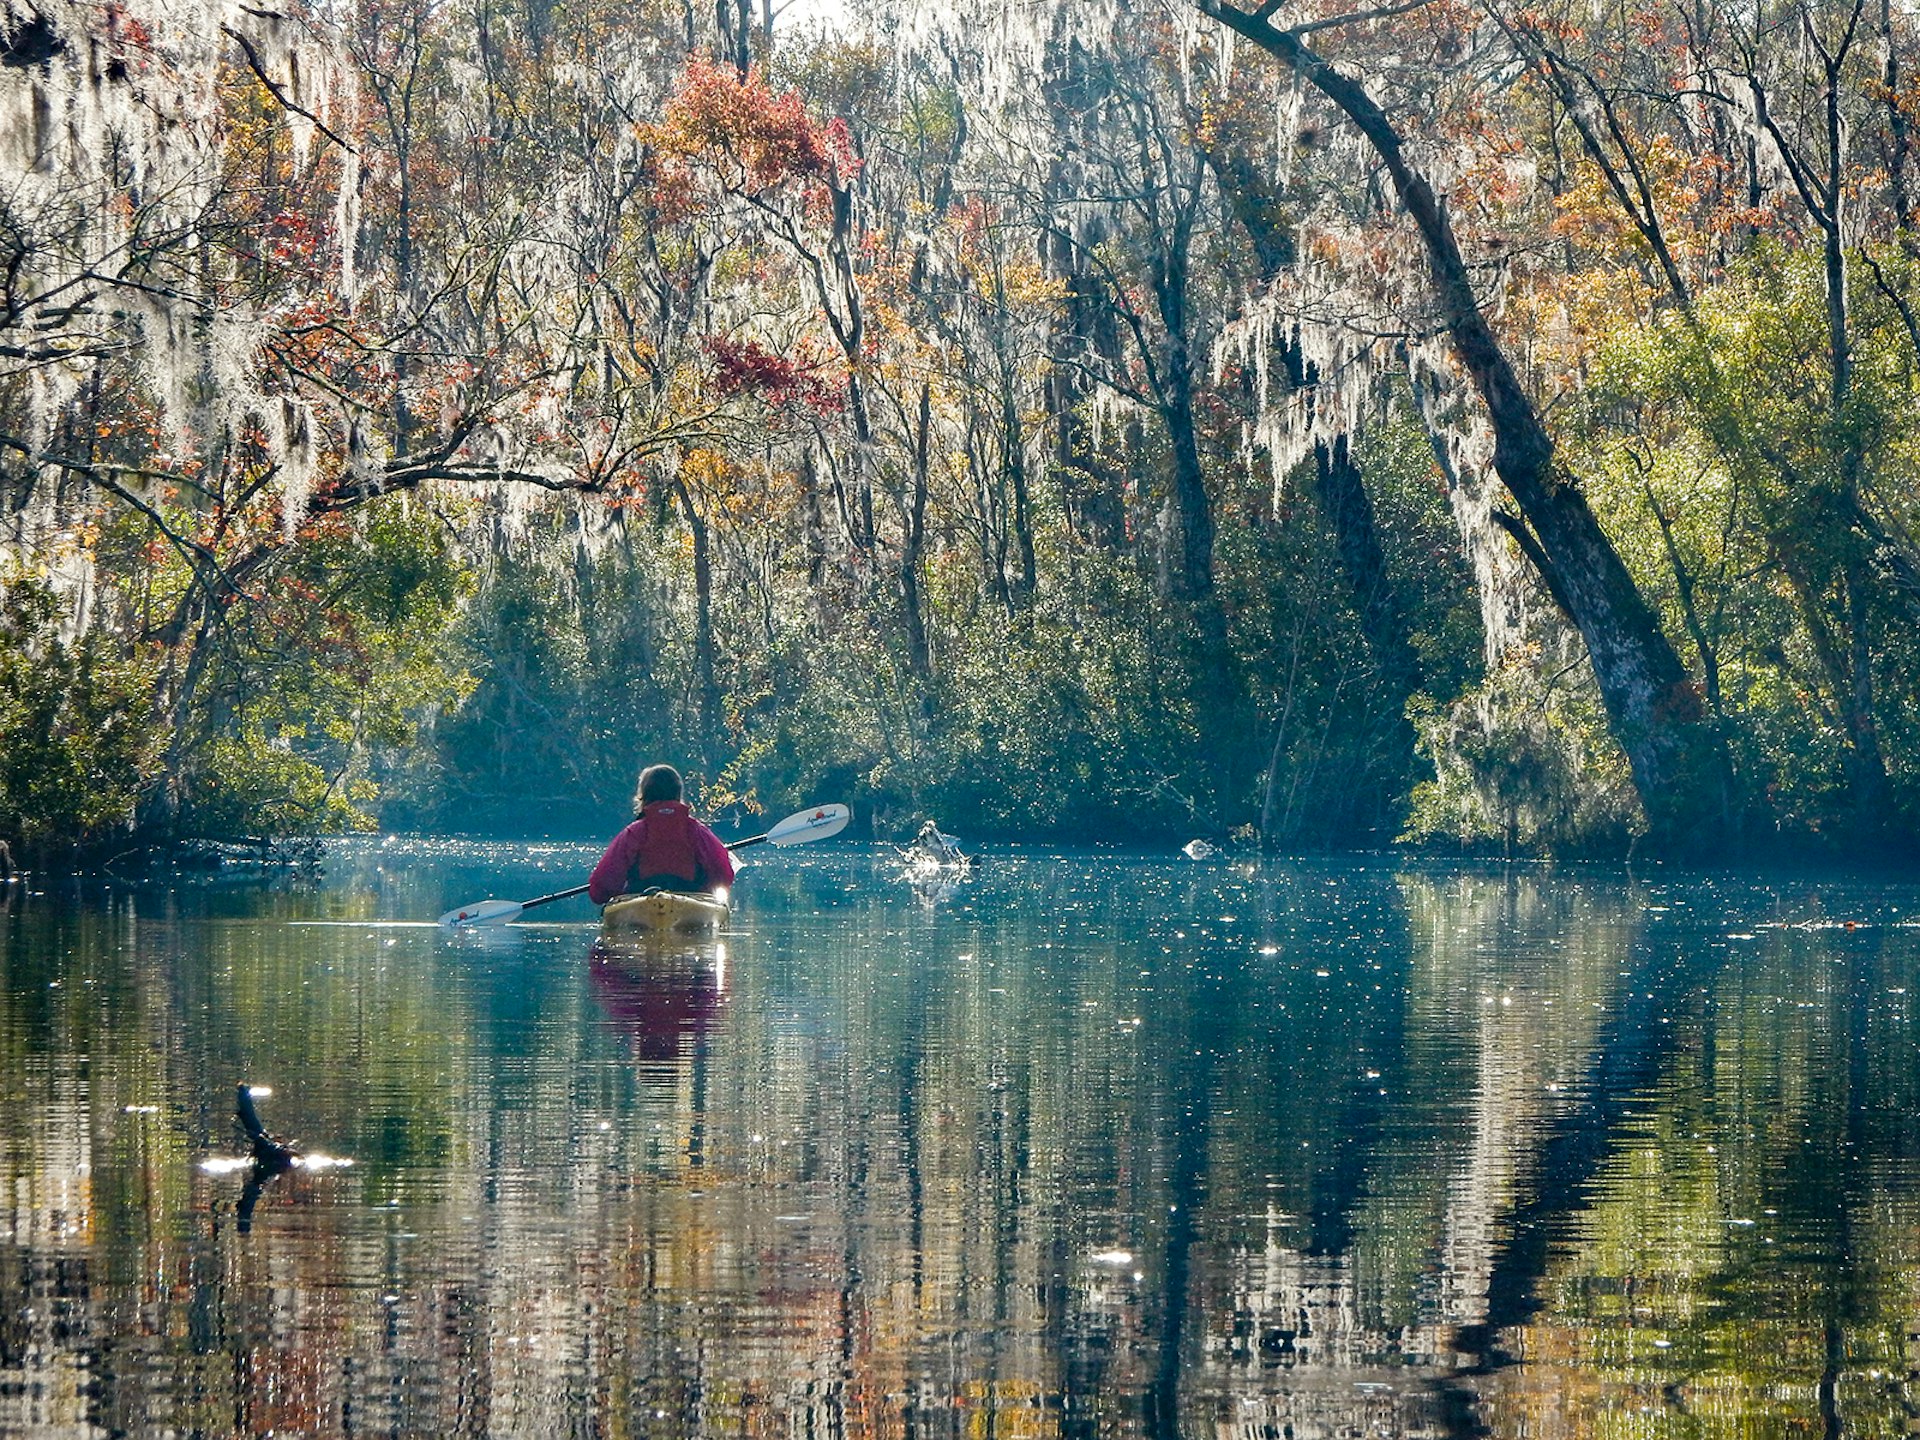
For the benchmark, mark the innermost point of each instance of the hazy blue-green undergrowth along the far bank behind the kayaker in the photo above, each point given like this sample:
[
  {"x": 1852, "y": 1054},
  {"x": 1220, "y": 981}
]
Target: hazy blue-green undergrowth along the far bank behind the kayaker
[{"x": 1074, "y": 715}]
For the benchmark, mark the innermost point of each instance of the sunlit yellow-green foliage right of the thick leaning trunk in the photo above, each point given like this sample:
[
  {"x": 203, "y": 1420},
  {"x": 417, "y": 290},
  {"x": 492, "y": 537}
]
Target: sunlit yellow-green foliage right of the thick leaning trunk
[{"x": 1752, "y": 510}]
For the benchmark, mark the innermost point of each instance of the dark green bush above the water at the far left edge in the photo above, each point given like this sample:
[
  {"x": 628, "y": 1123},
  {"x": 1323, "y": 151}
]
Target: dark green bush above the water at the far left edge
[{"x": 78, "y": 742}]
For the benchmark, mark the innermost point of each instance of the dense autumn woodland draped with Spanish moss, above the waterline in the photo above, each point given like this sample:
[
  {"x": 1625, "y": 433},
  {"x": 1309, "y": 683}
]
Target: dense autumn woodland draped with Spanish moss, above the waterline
[{"x": 1458, "y": 421}]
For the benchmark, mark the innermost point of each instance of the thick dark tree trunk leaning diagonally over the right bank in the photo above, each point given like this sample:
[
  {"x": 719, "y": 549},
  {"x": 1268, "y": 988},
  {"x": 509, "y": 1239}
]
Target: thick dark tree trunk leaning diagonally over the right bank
[{"x": 1679, "y": 759}]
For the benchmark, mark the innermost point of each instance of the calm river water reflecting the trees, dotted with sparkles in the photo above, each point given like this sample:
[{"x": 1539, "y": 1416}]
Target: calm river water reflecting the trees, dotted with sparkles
[{"x": 1090, "y": 1147}]
